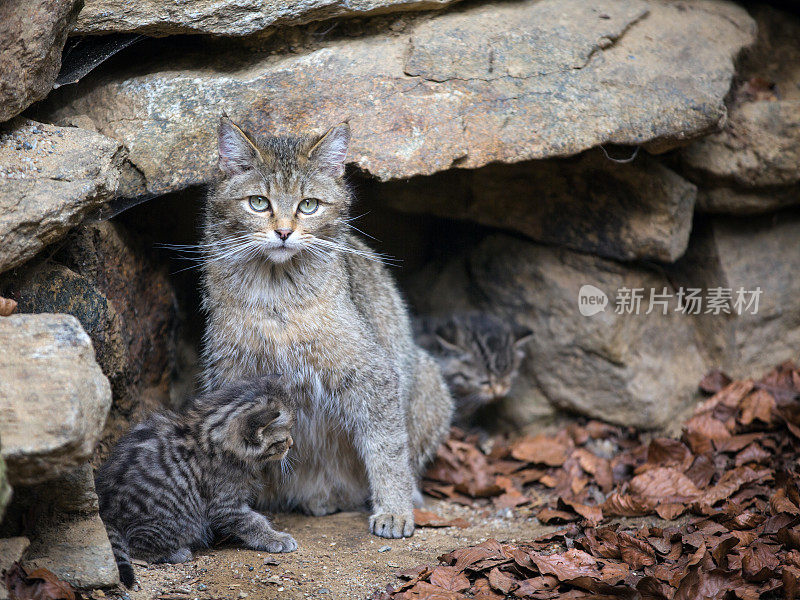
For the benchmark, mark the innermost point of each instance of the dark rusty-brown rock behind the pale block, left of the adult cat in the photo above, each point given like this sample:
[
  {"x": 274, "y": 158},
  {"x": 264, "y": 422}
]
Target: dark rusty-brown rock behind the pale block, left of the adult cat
[{"x": 122, "y": 296}]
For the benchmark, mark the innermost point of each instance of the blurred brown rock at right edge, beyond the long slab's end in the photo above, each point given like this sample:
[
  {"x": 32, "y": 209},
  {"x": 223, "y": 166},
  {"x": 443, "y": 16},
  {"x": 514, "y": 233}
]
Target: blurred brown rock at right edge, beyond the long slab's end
[{"x": 753, "y": 164}]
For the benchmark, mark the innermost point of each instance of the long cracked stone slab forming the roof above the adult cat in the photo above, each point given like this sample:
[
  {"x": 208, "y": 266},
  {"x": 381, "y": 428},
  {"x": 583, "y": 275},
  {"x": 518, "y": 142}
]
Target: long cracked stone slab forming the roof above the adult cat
[{"x": 556, "y": 78}]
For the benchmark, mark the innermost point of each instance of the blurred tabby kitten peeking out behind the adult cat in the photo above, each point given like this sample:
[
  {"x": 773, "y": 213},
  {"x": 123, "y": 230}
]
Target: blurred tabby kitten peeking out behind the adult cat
[{"x": 479, "y": 355}]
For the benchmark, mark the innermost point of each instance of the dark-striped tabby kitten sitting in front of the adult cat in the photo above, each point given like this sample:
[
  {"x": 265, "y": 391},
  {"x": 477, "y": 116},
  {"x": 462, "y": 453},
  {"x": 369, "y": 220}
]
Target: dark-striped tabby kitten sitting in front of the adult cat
[{"x": 176, "y": 480}]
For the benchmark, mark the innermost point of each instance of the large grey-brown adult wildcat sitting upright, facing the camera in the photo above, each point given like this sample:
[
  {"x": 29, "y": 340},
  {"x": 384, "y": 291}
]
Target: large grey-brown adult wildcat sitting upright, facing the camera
[{"x": 287, "y": 288}]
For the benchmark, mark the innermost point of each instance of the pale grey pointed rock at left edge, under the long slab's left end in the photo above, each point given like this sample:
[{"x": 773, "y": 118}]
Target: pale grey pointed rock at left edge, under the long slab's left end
[{"x": 50, "y": 178}]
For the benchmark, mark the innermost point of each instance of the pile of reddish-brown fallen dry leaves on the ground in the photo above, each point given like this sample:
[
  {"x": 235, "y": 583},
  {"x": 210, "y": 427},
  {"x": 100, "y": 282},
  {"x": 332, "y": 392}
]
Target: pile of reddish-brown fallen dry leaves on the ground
[{"x": 733, "y": 474}]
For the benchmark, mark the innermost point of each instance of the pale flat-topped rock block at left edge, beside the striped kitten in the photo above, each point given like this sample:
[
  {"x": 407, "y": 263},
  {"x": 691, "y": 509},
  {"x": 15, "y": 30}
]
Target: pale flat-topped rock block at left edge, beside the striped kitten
[{"x": 54, "y": 396}]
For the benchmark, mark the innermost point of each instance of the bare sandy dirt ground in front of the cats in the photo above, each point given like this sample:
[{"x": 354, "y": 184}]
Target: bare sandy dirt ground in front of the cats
[{"x": 337, "y": 558}]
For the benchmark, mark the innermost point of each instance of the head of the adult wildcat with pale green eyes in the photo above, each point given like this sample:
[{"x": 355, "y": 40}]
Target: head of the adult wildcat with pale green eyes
[{"x": 278, "y": 197}]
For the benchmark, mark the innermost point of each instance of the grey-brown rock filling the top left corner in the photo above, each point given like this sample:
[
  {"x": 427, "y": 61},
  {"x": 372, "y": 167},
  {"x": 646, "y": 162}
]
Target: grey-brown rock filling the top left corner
[{"x": 32, "y": 35}]
